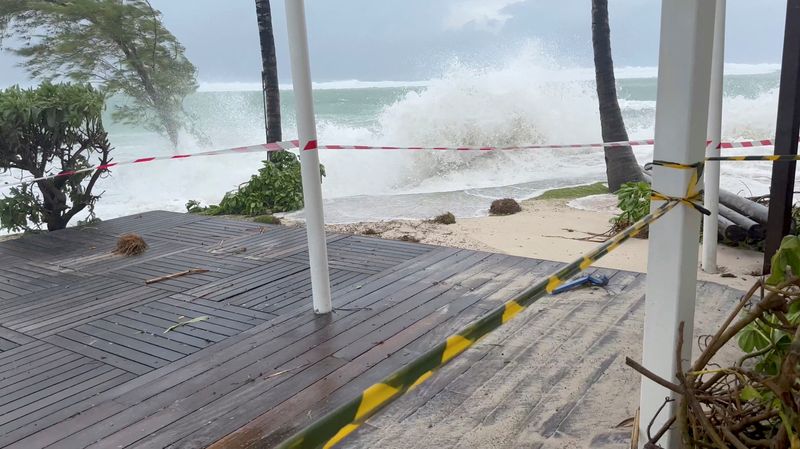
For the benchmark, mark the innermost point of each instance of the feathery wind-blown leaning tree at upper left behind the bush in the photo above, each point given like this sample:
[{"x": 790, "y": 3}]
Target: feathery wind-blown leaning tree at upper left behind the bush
[{"x": 120, "y": 45}]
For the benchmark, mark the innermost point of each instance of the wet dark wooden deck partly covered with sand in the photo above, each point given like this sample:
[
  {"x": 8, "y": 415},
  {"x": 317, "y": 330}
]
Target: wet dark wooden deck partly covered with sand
[{"x": 85, "y": 360}]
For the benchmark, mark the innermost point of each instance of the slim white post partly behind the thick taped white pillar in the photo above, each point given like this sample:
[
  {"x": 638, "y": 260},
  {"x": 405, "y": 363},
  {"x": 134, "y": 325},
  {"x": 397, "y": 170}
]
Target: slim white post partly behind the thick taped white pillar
[{"x": 711, "y": 178}]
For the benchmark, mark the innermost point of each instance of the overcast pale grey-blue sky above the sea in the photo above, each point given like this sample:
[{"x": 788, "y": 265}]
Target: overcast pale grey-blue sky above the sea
[{"x": 406, "y": 40}]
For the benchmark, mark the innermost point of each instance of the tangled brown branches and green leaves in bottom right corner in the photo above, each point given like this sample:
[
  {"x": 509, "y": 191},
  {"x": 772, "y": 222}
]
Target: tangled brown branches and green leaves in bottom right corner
[{"x": 749, "y": 402}]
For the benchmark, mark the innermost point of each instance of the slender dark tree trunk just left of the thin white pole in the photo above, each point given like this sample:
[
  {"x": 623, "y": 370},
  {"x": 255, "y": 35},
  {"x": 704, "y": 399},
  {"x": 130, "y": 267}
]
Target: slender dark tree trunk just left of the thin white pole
[{"x": 269, "y": 71}]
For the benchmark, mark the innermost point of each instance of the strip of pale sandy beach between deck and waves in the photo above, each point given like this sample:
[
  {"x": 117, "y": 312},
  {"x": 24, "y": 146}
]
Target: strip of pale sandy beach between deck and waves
[{"x": 551, "y": 229}]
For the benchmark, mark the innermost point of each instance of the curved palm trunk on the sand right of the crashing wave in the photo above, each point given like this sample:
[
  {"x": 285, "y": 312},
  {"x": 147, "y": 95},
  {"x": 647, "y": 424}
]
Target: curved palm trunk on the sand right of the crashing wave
[{"x": 621, "y": 165}]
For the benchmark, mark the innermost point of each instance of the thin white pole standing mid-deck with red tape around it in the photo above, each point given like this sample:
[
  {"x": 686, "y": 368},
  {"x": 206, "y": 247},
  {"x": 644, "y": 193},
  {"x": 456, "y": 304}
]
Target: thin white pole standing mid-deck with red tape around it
[{"x": 309, "y": 158}]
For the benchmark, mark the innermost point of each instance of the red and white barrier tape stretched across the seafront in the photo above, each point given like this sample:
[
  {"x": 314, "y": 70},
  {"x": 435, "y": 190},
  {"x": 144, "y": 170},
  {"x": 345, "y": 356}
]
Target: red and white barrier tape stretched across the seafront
[{"x": 293, "y": 144}]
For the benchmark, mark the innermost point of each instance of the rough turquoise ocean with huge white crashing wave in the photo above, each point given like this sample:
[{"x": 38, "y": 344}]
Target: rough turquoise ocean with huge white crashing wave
[{"x": 522, "y": 102}]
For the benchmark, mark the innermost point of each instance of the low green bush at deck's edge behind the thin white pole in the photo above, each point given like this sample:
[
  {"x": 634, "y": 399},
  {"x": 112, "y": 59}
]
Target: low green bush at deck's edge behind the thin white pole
[{"x": 278, "y": 187}]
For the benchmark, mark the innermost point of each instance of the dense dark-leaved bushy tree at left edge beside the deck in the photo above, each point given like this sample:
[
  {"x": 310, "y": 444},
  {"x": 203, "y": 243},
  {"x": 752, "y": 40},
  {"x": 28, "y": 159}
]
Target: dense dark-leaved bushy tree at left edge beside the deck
[{"x": 44, "y": 131}]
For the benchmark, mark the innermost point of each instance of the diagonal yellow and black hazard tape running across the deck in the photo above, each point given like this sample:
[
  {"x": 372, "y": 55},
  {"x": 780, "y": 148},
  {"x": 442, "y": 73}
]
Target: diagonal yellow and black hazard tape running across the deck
[{"x": 336, "y": 425}]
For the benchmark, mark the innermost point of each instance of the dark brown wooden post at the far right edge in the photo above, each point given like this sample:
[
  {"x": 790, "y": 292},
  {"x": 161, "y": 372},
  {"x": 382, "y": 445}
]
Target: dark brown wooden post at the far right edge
[{"x": 786, "y": 133}]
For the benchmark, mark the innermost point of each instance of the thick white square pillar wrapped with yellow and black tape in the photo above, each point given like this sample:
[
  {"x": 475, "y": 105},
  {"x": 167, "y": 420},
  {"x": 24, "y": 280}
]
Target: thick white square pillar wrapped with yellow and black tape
[{"x": 684, "y": 73}]
